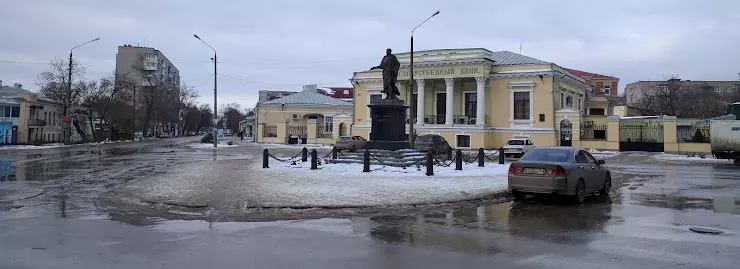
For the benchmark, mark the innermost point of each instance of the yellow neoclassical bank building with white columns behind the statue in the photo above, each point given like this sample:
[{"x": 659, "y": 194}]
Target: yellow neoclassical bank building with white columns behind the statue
[{"x": 479, "y": 98}]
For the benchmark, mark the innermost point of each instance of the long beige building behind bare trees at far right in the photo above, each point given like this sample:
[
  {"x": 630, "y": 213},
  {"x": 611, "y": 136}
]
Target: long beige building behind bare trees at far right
[{"x": 637, "y": 93}]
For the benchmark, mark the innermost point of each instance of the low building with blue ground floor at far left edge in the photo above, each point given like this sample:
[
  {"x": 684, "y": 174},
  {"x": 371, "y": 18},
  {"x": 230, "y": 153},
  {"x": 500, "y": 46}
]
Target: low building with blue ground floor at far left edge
[{"x": 28, "y": 118}]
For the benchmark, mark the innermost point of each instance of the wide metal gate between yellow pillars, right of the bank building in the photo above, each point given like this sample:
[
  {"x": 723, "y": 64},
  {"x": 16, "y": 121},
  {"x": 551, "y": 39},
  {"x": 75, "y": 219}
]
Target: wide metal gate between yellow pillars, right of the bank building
[{"x": 641, "y": 136}]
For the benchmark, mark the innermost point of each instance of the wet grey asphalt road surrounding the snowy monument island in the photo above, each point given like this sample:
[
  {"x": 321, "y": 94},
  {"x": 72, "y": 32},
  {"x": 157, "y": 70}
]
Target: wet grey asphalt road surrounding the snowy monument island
[{"x": 50, "y": 219}]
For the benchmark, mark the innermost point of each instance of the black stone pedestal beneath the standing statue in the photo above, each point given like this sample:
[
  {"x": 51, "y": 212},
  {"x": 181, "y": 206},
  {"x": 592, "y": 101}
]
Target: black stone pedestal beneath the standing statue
[{"x": 388, "y": 130}]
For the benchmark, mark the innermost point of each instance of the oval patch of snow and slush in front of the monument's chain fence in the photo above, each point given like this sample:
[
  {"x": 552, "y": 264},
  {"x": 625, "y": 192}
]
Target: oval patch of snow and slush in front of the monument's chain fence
[{"x": 237, "y": 183}]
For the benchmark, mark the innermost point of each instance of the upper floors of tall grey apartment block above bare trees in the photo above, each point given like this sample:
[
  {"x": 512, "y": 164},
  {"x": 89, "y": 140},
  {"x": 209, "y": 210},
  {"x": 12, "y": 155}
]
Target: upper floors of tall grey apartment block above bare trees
[{"x": 147, "y": 67}]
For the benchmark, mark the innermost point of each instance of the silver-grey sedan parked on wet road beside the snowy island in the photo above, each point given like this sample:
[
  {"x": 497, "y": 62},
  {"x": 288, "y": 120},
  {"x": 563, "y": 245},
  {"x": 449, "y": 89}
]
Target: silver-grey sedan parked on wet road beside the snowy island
[{"x": 559, "y": 170}]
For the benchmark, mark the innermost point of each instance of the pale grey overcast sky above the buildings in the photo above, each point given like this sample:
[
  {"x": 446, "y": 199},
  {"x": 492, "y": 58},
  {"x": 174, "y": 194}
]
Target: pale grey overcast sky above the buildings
[{"x": 282, "y": 45}]
